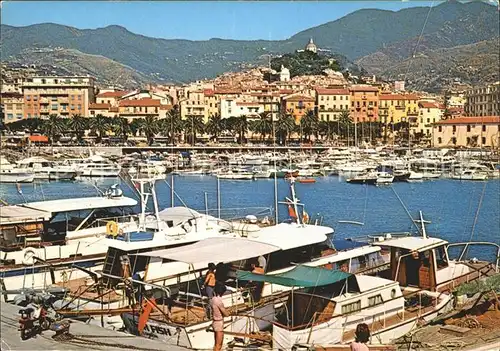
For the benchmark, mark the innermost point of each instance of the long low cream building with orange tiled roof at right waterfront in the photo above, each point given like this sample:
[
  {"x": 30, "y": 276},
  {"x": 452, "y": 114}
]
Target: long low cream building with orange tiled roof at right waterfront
[{"x": 477, "y": 131}]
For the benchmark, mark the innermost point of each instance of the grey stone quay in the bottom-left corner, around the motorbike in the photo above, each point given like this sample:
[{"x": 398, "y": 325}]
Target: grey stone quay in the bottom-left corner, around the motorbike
[{"x": 81, "y": 336}]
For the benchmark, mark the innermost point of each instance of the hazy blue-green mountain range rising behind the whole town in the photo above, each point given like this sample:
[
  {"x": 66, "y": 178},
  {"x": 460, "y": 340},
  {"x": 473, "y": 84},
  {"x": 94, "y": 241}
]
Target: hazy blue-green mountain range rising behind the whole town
[{"x": 356, "y": 36}]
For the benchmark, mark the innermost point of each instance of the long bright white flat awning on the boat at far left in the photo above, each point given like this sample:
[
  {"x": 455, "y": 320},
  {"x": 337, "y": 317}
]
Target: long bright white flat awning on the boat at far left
[{"x": 79, "y": 204}]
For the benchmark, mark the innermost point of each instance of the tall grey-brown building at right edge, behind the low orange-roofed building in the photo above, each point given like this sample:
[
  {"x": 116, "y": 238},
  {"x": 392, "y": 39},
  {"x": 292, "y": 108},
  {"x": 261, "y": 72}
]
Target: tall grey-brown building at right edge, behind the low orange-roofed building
[{"x": 483, "y": 101}]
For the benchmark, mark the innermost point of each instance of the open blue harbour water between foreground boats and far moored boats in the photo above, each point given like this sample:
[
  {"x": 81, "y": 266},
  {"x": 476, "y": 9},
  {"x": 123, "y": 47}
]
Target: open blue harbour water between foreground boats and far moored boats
[{"x": 458, "y": 210}]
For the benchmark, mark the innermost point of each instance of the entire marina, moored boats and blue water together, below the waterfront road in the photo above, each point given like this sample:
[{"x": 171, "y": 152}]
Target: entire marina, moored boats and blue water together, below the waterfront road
[{"x": 332, "y": 231}]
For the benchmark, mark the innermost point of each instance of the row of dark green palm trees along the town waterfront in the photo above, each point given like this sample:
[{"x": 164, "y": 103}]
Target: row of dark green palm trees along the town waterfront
[{"x": 175, "y": 129}]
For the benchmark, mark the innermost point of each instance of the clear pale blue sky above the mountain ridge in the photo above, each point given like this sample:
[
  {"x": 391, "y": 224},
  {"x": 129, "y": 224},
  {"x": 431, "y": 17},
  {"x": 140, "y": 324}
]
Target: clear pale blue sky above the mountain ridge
[{"x": 194, "y": 20}]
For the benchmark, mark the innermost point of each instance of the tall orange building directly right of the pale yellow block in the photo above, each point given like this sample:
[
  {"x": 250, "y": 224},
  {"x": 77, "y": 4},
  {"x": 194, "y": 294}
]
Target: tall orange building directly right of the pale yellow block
[{"x": 364, "y": 103}]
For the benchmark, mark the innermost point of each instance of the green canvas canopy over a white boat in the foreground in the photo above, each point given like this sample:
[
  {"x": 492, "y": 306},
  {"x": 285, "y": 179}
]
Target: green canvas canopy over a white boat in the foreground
[{"x": 299, "y": 276}]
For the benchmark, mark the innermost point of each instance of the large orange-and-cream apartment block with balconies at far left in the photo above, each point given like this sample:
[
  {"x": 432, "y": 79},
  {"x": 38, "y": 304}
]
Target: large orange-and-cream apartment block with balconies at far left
[{"x": 62, "y": 96}]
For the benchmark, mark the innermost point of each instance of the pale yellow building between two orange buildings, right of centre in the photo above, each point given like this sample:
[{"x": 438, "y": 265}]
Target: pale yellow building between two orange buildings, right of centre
[{"x": 330, "y": 103}]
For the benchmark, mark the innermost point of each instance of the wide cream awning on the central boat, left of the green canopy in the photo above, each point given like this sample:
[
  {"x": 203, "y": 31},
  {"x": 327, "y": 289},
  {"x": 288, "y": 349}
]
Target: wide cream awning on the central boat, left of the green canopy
[{"x": 223, "y": 250}]
